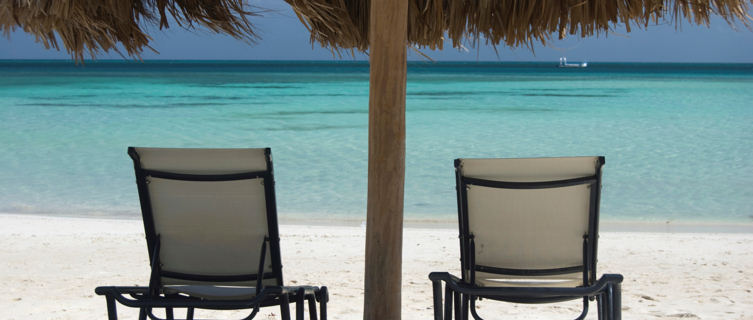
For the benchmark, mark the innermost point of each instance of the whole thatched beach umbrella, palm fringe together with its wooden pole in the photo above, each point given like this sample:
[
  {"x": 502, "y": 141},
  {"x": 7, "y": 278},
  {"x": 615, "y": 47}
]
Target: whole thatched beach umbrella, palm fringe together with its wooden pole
[{"x": 383, "y": 28}]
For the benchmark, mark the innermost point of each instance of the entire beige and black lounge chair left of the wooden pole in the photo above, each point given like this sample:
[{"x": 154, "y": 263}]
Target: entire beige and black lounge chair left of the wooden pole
[{"x": 211, "y": 229}]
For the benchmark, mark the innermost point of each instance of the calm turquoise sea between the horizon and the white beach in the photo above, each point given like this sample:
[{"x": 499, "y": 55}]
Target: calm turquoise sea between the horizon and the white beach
[{"x": 678, "y": 138}]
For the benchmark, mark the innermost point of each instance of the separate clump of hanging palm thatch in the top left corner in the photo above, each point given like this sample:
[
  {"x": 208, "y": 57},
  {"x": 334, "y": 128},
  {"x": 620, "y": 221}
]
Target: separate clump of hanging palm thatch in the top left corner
[{"x": 90, "y": 26}]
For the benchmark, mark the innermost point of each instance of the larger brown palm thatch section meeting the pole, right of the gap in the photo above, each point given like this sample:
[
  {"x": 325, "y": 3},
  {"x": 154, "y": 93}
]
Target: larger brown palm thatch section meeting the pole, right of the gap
[{"x": 344, "y": 23}]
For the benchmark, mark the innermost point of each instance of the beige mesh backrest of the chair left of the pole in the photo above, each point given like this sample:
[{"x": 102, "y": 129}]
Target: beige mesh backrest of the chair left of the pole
[{"x": 209, "y": 210}]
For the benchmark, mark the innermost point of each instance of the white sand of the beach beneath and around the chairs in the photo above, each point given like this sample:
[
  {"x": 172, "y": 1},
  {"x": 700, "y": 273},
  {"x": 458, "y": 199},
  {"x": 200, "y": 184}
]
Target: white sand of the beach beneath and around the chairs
[{"x": 50, "y": 266}]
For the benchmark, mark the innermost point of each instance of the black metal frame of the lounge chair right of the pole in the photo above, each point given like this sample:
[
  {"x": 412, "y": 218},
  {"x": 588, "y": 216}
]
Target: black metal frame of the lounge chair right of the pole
[{"x": 461, "y": 294}]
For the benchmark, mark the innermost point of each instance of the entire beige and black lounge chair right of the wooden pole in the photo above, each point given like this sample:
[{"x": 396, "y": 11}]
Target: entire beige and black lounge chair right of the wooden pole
[{"x": 528, "y": 234}]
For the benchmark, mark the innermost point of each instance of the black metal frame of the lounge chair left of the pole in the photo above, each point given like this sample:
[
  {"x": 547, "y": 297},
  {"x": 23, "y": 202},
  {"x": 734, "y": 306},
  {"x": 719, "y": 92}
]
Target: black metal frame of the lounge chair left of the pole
[{"x": 154, "y": 296}]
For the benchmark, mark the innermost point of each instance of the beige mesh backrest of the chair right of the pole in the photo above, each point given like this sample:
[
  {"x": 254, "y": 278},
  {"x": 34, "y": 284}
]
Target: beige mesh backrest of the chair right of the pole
[{"x": 528, "y": 221}]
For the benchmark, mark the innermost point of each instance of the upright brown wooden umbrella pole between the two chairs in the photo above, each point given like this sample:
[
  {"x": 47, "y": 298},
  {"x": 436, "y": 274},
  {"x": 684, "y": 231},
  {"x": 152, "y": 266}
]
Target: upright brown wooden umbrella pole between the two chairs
[{"x": 384, "y": 222}]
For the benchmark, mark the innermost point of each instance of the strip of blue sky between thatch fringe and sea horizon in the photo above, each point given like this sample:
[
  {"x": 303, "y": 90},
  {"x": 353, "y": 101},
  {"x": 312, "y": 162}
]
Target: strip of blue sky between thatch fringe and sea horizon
[{"x": 283, "y": 37}]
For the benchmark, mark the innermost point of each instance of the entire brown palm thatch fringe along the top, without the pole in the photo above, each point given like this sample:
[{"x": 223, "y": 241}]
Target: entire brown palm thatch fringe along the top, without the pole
[{"x": 90, "y": 26}]
